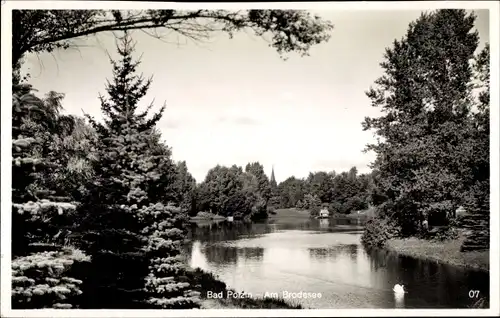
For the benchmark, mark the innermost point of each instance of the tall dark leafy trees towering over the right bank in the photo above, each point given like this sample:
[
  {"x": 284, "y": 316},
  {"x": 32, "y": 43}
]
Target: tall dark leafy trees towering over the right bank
[{"x": 433, "y": 137}]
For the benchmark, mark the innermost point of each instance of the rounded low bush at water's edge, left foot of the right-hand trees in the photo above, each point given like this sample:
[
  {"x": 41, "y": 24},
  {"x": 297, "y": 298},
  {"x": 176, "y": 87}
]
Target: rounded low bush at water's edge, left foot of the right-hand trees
[{"x": 378, "y": 230}]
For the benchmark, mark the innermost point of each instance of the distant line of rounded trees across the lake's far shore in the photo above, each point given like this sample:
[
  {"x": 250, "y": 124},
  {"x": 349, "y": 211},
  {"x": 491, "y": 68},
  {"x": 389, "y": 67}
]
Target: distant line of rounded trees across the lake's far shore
[{"x": 230, "y": 191}]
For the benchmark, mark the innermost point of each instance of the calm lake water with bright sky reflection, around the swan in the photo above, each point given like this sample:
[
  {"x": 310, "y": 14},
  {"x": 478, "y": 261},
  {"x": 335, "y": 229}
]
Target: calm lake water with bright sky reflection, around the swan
[{"x": 325, "y": 256}]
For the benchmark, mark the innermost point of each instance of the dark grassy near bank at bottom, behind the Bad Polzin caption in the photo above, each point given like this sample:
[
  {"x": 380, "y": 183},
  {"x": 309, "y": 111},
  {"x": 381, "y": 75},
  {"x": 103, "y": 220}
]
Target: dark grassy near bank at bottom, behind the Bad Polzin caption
[{"x": 205, "y": 282}]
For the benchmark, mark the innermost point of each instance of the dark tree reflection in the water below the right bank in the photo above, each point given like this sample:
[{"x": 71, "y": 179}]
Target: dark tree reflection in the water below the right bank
[{"x": 428, "y": 283}]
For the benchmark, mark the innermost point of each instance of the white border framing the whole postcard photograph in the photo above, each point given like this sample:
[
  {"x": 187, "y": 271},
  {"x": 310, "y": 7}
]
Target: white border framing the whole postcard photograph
[{"x": 6, "y": 172}]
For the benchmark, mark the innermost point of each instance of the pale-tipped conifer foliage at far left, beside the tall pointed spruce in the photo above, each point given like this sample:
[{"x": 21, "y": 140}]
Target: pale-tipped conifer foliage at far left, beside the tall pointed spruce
[{"x": 42, "y": 207}]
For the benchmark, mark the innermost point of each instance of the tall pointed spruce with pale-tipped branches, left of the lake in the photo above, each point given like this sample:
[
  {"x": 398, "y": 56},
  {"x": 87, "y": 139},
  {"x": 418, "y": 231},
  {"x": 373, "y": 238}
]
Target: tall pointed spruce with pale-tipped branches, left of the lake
[{"x": 135, "y": 236}]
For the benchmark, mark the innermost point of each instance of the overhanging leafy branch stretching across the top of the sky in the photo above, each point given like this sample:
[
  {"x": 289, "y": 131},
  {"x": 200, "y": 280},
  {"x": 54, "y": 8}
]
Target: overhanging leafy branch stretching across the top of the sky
[{"x": 36, "y": 31}]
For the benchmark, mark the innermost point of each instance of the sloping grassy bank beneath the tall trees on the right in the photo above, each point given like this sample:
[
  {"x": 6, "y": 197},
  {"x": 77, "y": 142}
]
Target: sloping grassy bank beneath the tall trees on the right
[{"x": 446, "y": 252}]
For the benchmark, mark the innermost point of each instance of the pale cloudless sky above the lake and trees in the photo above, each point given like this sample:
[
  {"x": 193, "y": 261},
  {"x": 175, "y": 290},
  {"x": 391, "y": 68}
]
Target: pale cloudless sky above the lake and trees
[{"x": 234, "y": 101}]
